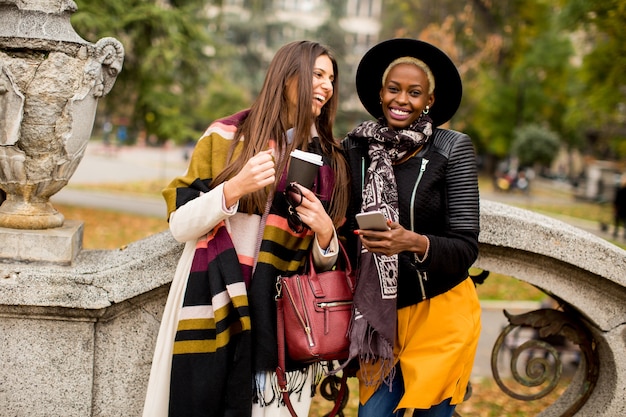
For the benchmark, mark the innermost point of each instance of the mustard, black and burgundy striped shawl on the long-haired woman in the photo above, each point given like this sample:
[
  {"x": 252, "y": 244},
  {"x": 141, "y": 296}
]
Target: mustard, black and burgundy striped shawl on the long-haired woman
[{"x": 227, "y": 329}]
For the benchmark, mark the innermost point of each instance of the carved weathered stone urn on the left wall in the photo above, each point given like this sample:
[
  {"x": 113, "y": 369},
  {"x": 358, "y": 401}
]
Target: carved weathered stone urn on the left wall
[{"x": 50, "y": 83}]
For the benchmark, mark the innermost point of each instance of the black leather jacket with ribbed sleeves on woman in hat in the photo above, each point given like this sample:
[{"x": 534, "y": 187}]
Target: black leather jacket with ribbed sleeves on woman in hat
[{"x": 439, "y": 186}]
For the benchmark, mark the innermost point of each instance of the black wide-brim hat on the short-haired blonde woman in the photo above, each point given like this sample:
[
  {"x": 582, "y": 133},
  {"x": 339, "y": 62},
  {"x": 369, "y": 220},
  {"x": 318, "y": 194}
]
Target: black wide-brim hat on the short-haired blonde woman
[{"x": 448, "y": 87}]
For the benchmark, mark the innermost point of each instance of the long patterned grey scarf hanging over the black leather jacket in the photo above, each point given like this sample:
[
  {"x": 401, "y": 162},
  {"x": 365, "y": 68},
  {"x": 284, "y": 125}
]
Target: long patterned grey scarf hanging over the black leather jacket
[{"x": 374, "y": 326}]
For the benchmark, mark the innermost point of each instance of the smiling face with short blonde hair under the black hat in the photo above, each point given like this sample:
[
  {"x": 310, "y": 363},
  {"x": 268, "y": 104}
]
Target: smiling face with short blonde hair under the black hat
[{"x": 404, "y": 95}]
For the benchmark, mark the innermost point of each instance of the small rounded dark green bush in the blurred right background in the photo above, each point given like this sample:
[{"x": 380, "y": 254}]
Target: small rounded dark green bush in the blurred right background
[{"x": 534, "y": 145}]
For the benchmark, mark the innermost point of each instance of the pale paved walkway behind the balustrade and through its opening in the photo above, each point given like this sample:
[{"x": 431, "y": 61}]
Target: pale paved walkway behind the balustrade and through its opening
[{"x": 102, "y": 165}]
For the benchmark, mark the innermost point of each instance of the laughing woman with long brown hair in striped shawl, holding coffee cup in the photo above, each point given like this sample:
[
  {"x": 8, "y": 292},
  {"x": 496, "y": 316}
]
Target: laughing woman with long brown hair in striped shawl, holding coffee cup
[{"x": 216, "y": 351}]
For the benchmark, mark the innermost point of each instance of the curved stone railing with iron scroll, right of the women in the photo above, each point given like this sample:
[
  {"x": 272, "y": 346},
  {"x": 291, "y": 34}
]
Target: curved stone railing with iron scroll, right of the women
[{"x": 588, "y": 276}]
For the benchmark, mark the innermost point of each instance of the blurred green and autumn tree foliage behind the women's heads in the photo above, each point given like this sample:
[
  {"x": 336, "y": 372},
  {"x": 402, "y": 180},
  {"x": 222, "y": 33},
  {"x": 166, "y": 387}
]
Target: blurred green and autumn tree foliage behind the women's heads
[{"x": 519, "y": 61}]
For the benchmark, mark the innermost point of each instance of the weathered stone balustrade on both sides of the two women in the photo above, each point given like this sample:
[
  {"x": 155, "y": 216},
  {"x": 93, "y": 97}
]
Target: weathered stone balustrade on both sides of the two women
[{"x": 78, "y": 340}]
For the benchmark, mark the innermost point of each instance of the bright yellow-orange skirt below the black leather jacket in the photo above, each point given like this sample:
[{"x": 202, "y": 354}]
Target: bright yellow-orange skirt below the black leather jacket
[{"x": 436, "y": 343}]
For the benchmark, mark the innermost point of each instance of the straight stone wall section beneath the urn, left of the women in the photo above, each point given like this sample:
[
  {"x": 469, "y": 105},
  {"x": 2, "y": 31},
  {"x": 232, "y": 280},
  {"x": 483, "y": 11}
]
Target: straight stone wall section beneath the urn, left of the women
[{"x": 78, "y": 340}]
